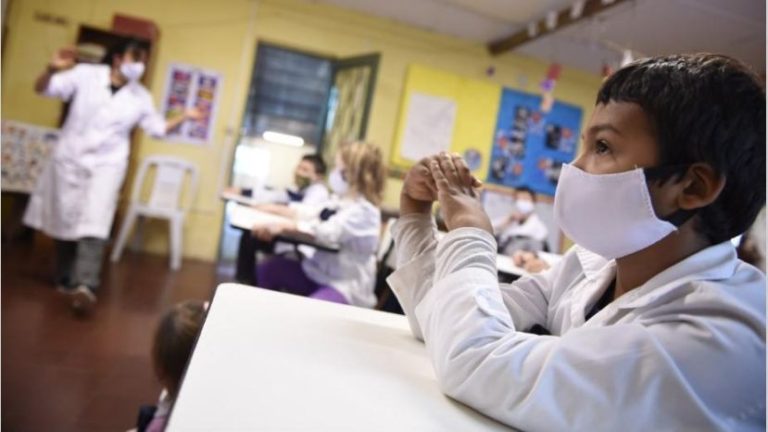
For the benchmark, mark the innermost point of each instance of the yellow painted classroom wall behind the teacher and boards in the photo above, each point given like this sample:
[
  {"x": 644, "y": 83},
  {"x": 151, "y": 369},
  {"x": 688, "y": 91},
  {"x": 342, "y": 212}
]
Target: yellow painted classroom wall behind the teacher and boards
[{"x": 221, "y": 35}]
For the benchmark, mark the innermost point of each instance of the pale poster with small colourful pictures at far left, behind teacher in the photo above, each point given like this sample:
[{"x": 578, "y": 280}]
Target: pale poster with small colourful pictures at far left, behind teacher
[{"x": 25, "y": 151}]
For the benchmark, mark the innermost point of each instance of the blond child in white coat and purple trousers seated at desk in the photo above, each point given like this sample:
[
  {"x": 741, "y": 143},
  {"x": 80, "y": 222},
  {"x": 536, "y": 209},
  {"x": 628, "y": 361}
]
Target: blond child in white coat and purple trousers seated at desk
[{"x": 353, "y": 223}]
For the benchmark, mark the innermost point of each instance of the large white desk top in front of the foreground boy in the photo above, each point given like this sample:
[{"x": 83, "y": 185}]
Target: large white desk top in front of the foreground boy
[{"x": 267, "y": 361}]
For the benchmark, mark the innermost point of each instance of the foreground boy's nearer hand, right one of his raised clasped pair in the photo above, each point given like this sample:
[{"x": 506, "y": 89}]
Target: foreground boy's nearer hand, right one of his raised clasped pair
[{"x": 459, "y": 202}]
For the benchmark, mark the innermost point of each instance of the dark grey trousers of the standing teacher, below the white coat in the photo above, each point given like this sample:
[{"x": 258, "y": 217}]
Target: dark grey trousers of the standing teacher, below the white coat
[{"x": 79, "y": 262}]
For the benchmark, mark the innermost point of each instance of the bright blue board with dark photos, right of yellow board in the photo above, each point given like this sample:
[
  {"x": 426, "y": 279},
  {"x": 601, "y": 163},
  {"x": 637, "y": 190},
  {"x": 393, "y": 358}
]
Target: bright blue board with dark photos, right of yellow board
[{"x": 530, "y": 146}]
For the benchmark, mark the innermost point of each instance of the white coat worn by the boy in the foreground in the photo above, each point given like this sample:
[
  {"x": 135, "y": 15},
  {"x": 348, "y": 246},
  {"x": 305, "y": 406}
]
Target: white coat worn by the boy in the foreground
[{"x": 685, "y": 351}]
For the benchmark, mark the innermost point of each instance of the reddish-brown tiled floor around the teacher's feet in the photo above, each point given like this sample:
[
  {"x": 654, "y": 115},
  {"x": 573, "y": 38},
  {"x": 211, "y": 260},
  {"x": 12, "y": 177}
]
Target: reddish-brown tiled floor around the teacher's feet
[{"x": 63, "y": 373}]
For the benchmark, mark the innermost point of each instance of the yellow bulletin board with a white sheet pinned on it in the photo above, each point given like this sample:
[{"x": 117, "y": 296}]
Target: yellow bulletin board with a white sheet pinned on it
[{"x": 444, "y": 111}]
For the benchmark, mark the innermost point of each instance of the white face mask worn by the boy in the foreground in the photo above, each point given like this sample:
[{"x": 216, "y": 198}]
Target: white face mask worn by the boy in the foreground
[{"x": 610, "y": 214}]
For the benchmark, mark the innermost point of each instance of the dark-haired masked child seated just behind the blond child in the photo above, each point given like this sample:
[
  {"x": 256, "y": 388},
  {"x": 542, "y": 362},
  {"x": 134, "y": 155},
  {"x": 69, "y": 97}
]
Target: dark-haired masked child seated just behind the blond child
[{"x": 310, "y": 190}]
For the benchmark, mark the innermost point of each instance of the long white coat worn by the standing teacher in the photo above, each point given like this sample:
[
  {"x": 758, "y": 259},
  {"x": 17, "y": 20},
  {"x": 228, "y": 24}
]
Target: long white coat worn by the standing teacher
[{"x": 78, "y": 190}]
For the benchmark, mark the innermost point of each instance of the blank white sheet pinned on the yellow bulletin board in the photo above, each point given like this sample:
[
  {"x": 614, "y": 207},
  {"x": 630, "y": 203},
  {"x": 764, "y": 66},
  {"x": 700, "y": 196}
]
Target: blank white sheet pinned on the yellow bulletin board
[{"x": 428, "y": 126}]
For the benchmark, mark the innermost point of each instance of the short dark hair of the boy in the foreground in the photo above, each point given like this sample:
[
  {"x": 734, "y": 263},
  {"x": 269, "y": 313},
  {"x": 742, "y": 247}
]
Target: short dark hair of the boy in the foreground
[{"x": 704, "y": 108}]
